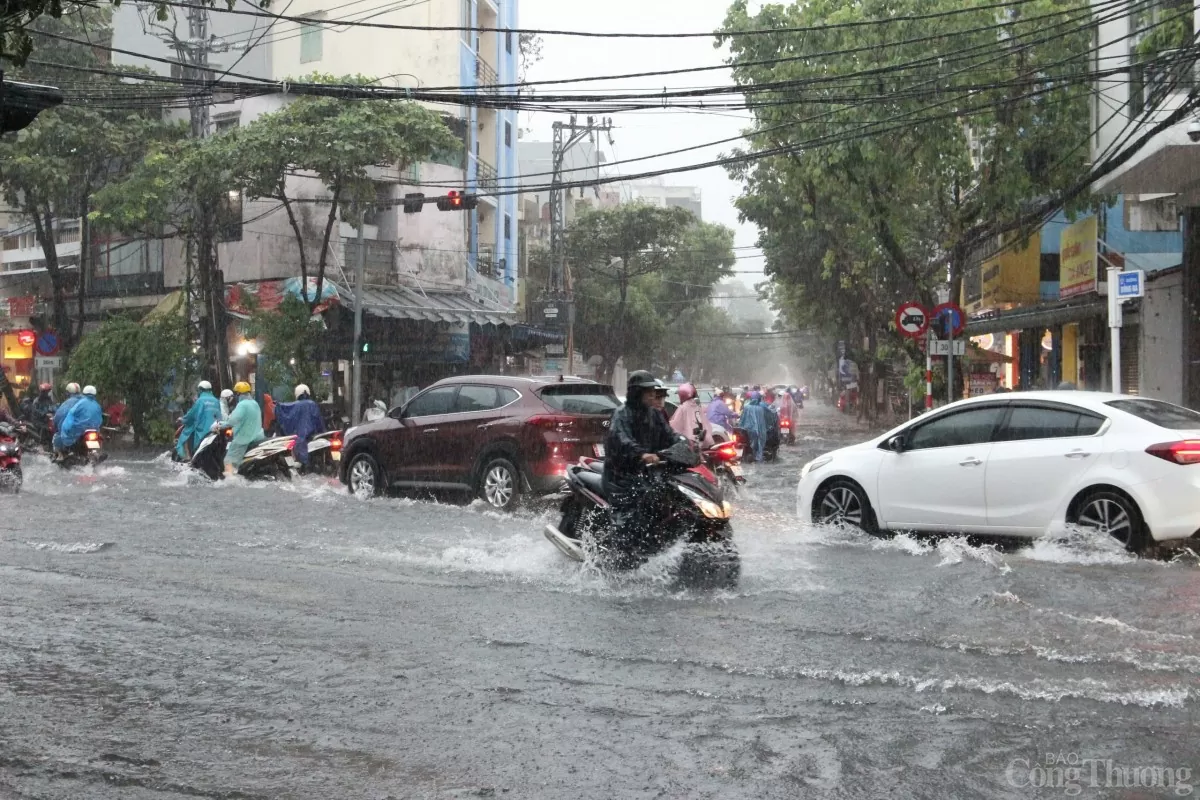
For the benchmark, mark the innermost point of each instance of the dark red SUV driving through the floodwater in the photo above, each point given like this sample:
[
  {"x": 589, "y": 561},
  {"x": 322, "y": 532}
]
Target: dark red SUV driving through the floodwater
[{"x": 497, "y": 436}]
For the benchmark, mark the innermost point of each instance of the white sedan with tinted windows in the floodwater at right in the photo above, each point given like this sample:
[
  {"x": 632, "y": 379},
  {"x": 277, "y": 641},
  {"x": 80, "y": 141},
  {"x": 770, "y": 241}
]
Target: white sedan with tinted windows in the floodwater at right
[{"x": 1022, "y": 465}]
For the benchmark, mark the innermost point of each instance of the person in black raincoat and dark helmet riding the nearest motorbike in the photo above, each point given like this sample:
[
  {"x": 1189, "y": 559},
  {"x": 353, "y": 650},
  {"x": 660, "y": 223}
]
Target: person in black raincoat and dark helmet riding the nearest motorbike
[{"x": 638, "y": 432}]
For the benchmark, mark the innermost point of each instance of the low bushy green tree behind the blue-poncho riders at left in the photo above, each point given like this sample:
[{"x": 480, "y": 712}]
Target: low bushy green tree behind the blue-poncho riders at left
[{"x": 134, "y": 362}]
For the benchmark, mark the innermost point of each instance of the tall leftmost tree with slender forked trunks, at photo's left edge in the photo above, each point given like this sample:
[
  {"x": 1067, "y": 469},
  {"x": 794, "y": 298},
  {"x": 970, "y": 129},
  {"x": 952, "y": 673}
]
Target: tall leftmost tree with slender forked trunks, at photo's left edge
[{"x": 50, "y": 171}]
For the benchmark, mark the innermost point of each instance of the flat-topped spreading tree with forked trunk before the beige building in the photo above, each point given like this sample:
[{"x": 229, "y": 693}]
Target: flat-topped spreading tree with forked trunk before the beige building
[{"x": 337, "y": 142}]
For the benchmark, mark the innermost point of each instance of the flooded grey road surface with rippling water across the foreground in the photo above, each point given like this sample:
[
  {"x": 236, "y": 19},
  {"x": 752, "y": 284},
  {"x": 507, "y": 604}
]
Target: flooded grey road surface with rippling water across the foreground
[{"x": 164, "y": 639}]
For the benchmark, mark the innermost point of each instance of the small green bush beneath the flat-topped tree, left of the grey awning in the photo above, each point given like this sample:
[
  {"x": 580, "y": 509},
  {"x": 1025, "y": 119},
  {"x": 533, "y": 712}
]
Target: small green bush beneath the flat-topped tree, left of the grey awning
[{"x": 289, "y": 336}]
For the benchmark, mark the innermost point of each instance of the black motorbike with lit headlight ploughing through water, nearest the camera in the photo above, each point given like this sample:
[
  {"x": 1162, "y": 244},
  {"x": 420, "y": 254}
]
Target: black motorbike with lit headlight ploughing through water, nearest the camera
[{"x": 685, "y": 502}]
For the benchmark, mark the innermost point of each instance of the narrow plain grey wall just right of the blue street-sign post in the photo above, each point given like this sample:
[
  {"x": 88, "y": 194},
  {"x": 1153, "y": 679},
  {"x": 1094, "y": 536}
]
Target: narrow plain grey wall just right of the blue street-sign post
[{"x": 1161, "y": 322}]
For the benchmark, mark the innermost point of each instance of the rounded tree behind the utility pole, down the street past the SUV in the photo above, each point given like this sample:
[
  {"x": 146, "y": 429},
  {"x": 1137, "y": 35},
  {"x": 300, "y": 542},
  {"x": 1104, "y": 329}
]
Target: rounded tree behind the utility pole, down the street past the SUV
[{"x": 614, "y": 255}]
